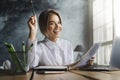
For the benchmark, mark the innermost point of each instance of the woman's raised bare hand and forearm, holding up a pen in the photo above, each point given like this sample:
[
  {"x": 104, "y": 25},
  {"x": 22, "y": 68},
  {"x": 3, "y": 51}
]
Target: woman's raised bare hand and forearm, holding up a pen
[{"x": 33, "y": 26}]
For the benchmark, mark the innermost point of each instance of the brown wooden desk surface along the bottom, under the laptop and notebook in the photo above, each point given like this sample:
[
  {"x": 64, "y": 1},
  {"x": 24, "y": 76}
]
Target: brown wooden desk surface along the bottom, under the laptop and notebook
[{"x": 72, "y": 75}]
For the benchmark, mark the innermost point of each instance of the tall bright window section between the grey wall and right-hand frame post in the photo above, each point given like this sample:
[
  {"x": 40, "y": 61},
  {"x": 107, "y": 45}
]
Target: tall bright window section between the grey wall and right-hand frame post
[{"x": 103, "y": 29}]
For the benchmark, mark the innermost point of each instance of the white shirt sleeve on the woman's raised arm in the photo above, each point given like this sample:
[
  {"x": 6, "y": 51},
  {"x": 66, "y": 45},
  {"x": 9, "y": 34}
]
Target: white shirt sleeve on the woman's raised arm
[{"x": 33, "y": 56}]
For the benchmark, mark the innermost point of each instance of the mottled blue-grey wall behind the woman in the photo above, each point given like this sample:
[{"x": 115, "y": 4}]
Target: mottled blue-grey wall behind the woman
[{"x": 14, "y": 15}]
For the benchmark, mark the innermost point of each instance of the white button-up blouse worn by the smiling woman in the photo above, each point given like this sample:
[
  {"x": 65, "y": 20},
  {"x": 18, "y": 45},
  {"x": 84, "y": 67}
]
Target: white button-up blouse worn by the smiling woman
[{"x": 49, "y": 53}]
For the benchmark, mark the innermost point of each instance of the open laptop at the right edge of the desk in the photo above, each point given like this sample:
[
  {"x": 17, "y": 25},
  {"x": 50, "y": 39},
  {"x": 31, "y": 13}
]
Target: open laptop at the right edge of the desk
[{"x": 114, "y": 63}]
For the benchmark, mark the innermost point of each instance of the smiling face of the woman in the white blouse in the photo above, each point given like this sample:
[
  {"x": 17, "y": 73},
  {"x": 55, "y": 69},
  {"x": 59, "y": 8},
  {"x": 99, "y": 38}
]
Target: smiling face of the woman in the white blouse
[{"x": 54, "y": 27}]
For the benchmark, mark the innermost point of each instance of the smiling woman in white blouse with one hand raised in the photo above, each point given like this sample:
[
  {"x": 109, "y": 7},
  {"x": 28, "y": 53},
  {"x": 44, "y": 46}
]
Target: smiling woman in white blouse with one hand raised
[{"x": 52, "y": 50}]
